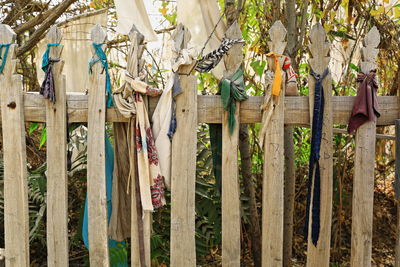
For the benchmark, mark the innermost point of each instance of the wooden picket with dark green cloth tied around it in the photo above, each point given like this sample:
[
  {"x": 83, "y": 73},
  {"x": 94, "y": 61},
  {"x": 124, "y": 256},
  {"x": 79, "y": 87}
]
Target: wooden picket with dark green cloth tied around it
[{"x": 230, "y": 171}]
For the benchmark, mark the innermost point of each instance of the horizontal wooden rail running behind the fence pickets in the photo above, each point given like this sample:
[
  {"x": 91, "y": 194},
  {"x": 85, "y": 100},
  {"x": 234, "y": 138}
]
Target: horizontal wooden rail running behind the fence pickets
[{"x": 210, "y": 109}]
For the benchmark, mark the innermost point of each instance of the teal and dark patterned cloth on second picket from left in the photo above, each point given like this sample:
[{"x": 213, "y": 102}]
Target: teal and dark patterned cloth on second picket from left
[{"x": 47, "y": 88}]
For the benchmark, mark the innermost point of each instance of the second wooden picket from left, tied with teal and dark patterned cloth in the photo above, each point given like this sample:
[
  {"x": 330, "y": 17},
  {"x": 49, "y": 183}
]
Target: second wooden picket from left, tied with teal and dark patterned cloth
[{"x": 57, "y": 192}]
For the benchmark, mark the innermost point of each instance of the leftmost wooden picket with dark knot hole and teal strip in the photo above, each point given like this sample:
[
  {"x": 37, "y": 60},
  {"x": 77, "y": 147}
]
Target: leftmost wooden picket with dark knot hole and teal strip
[{"x": 16, "y": 221}]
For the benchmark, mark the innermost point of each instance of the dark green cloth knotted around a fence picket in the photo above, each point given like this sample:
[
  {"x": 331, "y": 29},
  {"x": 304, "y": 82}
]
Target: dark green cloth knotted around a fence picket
[{"x": 232, "y": 90}]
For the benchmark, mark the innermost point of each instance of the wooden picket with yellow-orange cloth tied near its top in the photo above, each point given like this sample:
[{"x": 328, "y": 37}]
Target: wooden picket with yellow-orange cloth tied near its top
[{"x": 273, "y": 178}]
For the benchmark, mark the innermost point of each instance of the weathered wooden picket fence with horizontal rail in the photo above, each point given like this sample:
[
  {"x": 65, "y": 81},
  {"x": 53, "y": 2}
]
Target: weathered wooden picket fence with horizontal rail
[{"x": 18, "y": 107}]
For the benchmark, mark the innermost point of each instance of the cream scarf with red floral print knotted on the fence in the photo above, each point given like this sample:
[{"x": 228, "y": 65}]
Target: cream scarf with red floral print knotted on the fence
[{"x": 129, "y": 100}]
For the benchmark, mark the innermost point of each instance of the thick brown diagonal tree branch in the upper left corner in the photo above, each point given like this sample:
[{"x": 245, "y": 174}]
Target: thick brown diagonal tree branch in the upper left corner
[{"x": 53, "y": 16}]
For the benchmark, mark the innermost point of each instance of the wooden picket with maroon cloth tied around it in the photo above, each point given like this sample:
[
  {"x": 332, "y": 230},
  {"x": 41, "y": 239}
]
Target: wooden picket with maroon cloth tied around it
[{"x": 363, "y": 181}]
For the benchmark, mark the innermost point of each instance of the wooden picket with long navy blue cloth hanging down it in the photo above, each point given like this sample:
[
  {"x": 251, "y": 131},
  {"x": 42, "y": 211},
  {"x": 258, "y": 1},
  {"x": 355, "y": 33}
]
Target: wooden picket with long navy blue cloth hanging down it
[{"x": 319, "y": 47}]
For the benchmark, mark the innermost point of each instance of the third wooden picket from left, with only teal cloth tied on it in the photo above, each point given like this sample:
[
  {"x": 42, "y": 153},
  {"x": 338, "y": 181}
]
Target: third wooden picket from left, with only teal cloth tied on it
[{"x": 96, "y": 172}]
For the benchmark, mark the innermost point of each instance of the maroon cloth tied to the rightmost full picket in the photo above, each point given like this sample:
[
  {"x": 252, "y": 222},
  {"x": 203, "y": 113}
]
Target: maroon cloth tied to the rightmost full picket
[{"x": 365, "y": 106}]
